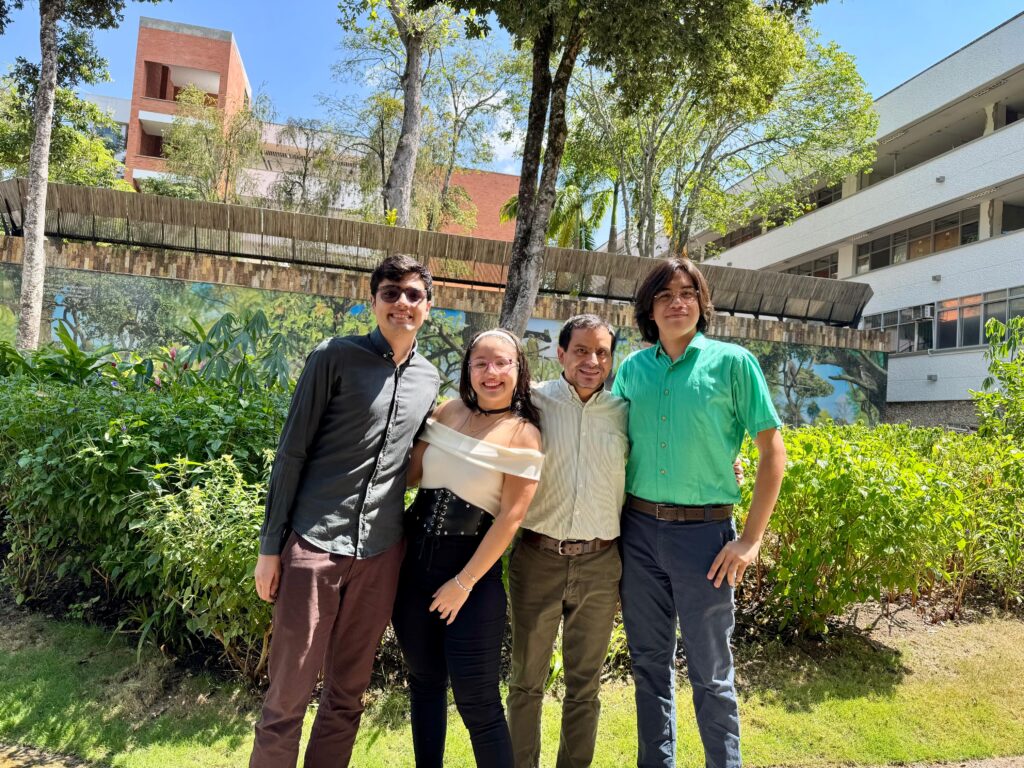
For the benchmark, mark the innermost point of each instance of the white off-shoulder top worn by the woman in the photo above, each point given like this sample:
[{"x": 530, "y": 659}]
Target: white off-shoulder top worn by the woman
[{"x": 474, "y": 470}]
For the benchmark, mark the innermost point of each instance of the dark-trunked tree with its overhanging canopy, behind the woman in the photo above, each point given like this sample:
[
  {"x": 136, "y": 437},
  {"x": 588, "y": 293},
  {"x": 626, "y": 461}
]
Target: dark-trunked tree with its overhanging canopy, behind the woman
[{"x": 643, "y": 47}]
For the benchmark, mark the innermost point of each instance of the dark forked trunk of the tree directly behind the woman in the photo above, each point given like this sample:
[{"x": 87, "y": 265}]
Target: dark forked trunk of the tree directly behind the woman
[{"x": 535, "y": 208}]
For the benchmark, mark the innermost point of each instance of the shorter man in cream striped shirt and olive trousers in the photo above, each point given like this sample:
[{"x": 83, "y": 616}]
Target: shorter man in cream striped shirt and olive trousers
[{"x": 567, "y": 567}]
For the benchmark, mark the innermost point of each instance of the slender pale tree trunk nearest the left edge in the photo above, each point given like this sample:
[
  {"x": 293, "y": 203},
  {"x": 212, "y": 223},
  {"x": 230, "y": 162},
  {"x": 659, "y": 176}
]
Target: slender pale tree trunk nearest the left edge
[{"x": 34, "y": 266}]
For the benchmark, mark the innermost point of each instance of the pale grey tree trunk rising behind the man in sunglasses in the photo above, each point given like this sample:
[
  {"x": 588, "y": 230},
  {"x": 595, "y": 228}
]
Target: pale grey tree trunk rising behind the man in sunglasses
[{"x": 399, "y": 189}]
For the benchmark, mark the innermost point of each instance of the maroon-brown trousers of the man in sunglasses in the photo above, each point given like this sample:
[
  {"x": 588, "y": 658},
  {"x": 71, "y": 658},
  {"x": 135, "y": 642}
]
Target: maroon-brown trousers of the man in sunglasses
[{"x": 330, "y": 614}]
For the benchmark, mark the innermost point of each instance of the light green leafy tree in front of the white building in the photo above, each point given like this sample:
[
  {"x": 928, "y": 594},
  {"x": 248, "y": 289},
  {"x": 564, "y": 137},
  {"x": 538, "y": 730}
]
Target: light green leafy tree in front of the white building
[{"x": 716, "y": 156}]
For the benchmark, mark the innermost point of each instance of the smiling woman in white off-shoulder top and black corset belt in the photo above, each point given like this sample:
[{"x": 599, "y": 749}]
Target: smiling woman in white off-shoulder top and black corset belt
[{"x": 478, "y": 464}]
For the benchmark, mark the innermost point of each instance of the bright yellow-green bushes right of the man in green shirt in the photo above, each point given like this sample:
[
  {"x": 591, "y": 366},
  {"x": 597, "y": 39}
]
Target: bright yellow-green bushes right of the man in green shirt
[{"x": 869, "y": 514}]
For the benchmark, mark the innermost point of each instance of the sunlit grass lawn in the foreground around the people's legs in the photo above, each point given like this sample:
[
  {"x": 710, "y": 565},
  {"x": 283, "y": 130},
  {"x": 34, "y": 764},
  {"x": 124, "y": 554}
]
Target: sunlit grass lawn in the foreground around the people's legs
[{"x": 913, "y": 694}]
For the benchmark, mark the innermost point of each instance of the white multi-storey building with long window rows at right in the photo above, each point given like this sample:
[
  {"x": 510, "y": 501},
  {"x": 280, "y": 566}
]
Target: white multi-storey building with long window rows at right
[{"x": 936, "y": 229}]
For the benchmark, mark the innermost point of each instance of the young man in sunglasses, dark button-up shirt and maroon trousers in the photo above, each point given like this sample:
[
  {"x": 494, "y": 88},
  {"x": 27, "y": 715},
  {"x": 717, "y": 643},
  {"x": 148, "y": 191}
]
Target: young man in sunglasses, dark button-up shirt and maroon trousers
[{"x": 331, "y": 545}]
